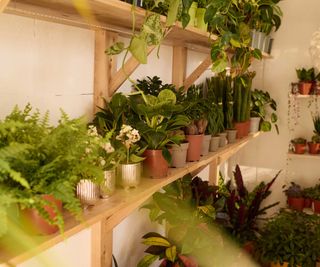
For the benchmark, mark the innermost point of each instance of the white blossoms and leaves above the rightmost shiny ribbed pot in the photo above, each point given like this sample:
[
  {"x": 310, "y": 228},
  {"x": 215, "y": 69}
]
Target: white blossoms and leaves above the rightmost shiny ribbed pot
[{"x": 128, "y": 138}]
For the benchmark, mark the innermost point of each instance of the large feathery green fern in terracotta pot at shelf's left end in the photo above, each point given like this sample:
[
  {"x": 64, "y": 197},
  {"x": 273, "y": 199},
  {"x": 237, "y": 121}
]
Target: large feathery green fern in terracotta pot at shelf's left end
[{"x": 41, "y": 167}]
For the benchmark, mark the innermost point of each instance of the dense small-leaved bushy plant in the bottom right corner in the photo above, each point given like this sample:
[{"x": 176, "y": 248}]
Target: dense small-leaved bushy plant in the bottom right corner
[{"x": 291, "y": 237}]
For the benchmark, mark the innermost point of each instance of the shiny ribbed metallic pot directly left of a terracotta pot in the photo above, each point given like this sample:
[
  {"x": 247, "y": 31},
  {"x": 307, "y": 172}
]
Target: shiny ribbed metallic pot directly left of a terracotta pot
[{"x": 129, "y": 175}]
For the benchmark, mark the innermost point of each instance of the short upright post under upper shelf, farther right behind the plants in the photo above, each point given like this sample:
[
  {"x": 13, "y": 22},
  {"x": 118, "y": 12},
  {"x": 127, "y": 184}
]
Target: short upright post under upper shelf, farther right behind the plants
[{"x": 179, "y": 65}]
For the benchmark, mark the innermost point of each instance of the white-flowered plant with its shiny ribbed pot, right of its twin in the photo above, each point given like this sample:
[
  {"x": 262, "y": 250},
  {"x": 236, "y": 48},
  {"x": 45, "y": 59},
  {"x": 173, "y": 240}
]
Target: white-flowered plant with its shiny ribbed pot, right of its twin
[{"x": 129, "y": 169}]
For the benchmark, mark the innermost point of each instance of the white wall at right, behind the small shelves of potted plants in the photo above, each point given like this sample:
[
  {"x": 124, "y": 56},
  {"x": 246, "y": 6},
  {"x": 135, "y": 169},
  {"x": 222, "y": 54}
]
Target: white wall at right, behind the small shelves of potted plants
[{"x": 290, "y": 51}]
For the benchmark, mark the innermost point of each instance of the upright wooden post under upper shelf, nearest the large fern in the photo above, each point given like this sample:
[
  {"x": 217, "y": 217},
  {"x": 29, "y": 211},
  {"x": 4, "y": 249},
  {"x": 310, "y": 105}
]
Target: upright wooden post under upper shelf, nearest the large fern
[{"x": 104, "y": 66}]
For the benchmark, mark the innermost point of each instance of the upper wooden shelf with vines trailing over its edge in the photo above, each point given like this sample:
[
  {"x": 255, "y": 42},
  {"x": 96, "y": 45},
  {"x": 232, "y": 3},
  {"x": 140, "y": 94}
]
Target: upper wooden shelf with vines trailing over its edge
[{"x": 112, "y": 15}]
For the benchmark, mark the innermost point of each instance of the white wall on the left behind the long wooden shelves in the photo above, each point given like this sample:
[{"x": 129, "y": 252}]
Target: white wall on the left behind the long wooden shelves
[{"x": 51, "y": 66}]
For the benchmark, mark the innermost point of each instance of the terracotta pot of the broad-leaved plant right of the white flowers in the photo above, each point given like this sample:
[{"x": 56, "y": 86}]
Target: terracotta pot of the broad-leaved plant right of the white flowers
[{"x": 155, "y": 165}]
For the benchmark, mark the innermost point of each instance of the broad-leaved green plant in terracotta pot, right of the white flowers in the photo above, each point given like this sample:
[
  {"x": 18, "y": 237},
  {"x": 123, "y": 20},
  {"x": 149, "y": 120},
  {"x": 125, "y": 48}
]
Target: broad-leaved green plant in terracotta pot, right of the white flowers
[{"x": 156, "y": 118}]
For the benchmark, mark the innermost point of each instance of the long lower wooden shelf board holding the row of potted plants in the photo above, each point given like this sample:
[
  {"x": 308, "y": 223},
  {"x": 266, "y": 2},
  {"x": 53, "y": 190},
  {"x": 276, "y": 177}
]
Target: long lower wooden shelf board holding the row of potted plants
[{"x": 115, "y": 208}]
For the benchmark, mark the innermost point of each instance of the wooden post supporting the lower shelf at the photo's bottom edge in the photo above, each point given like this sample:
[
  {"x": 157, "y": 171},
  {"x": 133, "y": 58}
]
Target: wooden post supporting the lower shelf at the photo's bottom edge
[{"x": 101, "y": 245}]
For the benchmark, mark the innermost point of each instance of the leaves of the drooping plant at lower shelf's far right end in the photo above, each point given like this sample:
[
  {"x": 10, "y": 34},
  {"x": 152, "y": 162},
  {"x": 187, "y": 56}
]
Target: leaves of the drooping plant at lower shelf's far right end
[{"x": 260, "y": 102}]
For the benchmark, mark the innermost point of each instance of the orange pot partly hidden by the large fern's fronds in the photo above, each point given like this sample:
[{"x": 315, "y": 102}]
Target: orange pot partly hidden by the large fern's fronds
[{"x": 34, "y": 221}]
